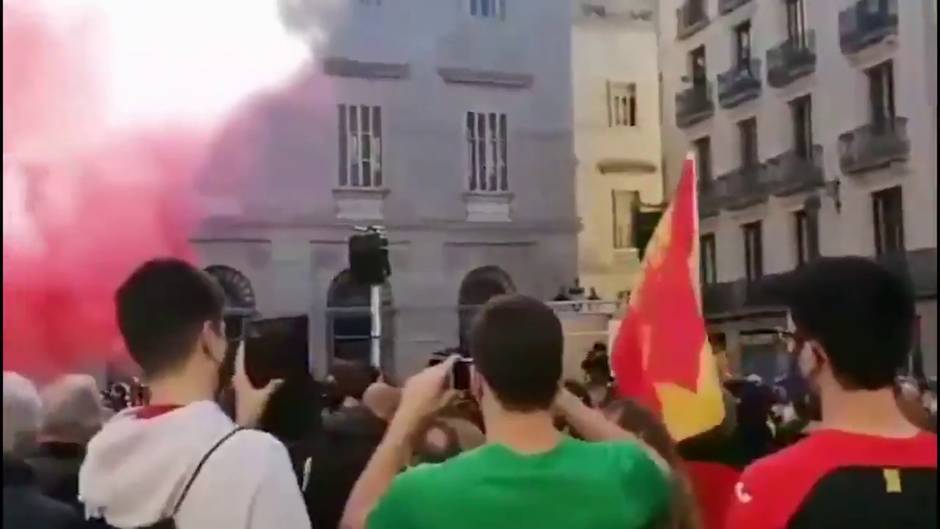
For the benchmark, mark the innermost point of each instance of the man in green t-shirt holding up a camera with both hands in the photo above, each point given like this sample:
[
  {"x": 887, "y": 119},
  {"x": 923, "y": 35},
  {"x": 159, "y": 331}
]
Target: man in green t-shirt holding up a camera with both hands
[{"x": 528, "y": 474}]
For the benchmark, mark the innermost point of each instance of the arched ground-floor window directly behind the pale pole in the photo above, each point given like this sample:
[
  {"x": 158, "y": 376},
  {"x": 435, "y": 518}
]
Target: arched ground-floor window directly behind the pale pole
[{"x": 349, "y": 321}]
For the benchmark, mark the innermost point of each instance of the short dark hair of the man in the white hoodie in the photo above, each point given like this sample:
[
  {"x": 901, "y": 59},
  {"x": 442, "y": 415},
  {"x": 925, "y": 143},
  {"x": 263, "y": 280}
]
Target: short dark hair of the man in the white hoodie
[{"x": 161, "y": 309}]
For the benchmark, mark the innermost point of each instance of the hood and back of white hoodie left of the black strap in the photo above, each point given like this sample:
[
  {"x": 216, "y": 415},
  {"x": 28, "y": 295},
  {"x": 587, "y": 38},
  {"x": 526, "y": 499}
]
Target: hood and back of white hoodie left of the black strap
[{"x": 136, "y": 468}]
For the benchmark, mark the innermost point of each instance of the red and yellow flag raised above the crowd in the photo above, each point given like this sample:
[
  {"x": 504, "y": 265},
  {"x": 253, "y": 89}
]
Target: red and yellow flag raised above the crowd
[{"x": 662, "y": 356}]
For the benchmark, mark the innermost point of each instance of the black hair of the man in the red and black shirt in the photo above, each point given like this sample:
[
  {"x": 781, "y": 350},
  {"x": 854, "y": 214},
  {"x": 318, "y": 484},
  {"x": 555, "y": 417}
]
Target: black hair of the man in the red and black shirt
[{"x": 860, "y": 312}]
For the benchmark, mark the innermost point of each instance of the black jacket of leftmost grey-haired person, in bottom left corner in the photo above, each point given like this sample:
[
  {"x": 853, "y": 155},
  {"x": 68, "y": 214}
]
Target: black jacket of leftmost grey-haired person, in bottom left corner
[{"x": 25, "y": 507}]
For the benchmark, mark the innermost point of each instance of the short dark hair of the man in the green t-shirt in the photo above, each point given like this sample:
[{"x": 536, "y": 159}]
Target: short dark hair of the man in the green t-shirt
[{"x": 516, "y": 343}]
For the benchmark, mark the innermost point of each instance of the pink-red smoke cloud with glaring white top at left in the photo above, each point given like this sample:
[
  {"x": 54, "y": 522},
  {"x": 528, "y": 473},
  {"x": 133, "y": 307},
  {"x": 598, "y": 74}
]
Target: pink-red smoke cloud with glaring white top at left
[{"x": 91, "y": 190}]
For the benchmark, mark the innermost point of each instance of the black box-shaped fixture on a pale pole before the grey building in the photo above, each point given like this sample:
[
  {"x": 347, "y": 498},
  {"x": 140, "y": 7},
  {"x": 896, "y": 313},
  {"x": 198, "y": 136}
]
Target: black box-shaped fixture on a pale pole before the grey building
[{"x": 368, "y": 264}]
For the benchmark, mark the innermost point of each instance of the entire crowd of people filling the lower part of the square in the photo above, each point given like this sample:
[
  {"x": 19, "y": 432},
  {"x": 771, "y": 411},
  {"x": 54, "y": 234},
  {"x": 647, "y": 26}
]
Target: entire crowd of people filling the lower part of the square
[{"x": 840, "y": 442}]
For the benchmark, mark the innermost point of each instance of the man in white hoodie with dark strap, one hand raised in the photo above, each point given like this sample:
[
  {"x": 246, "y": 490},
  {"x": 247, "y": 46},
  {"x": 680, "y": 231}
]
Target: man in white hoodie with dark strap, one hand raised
[{"x": 138, "y": 466}]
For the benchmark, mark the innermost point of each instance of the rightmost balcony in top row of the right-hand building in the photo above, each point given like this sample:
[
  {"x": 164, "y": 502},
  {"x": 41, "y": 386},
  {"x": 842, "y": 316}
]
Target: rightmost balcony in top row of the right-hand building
[{"x": 867, "y": 23}]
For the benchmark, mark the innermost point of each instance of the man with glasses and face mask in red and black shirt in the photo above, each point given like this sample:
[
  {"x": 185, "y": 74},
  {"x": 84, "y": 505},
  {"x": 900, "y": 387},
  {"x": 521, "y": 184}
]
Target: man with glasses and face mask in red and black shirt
[{"x": 849, "y": 329}]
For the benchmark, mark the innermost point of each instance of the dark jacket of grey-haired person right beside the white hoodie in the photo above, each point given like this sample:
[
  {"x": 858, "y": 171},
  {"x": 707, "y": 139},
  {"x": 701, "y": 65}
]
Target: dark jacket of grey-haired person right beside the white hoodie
[{"x": 56, "y": 467}]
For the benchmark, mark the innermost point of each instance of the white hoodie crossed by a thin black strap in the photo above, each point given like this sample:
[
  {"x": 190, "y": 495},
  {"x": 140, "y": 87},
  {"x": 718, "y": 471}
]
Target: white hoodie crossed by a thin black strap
[{"x": 135, "y": 470}]
